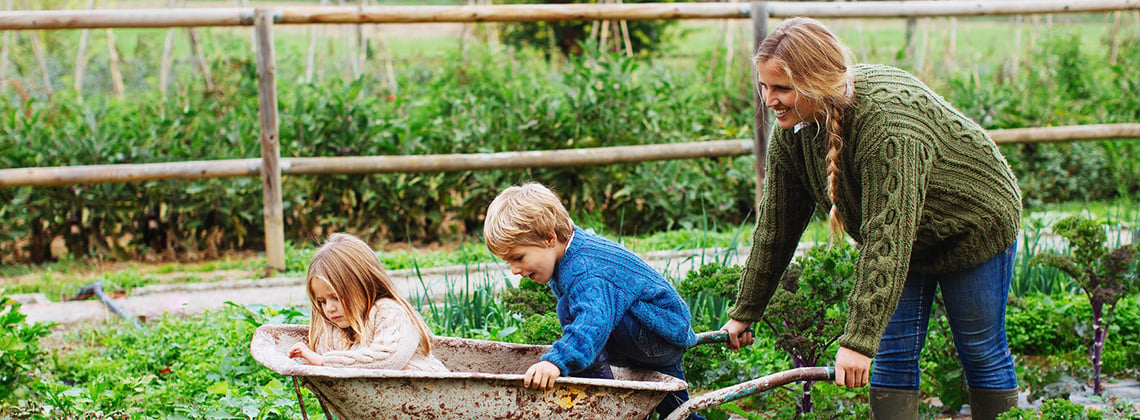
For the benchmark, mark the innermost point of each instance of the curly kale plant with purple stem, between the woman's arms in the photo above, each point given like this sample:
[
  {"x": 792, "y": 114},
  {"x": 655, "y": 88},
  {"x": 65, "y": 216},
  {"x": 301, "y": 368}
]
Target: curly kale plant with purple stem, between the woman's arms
[{"x": 805, "y": 311}]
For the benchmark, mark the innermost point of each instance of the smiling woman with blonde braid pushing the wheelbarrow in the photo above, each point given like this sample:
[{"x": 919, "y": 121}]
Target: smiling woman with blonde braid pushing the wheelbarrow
[{"x": 923, "y": 191}]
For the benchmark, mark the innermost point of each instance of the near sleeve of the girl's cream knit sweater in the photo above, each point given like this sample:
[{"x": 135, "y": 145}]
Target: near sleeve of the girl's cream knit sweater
[{"x": 390, "y": 342}]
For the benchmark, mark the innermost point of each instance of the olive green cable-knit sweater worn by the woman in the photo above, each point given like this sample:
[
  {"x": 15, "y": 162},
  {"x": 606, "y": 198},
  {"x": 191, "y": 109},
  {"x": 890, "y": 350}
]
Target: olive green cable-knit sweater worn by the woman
[{"x": 922, "y": 189}]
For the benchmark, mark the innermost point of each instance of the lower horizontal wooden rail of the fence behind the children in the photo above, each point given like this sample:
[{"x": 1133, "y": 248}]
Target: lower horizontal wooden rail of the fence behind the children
[{"x": 237, "y": 168}]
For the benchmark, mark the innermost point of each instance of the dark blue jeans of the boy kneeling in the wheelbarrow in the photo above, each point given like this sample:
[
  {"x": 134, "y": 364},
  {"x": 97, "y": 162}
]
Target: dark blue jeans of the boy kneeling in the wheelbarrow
[{"x": 632, "y": 346}]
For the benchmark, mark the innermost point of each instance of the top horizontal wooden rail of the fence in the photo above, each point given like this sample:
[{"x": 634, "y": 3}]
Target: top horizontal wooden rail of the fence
[{"x": 66, "y": 20}]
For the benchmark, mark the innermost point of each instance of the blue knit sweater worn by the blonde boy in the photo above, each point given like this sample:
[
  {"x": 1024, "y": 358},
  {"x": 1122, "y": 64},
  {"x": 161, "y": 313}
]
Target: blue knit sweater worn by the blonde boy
[{"x": 598, "y": 282}]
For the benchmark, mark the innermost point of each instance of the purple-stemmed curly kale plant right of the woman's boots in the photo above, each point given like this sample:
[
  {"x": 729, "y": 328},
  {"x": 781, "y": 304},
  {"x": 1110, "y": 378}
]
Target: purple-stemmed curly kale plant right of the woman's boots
[{"x": 1105, "y": 277}]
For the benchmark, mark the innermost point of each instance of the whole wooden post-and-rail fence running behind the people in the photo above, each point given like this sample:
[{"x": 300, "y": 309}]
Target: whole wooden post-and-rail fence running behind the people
[{"x": 271, "y": 167}]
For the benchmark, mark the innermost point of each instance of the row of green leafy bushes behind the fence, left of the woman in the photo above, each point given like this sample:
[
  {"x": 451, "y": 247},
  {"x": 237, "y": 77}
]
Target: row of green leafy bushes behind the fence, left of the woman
[{"x": 486, "y": 103}]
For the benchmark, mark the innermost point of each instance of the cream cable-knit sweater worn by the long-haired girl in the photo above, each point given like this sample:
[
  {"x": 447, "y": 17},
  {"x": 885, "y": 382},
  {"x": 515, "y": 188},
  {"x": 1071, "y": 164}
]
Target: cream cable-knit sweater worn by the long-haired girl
[{"x": 390, "y": 341}]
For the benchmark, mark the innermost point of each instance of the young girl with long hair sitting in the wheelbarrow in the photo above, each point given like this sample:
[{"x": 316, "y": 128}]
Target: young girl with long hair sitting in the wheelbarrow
[{"x": 359, "y": 320}]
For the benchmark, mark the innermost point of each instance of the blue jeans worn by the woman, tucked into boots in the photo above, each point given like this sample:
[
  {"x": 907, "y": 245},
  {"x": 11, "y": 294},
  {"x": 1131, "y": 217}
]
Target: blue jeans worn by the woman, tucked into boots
[{"x": 975, "y": 303}]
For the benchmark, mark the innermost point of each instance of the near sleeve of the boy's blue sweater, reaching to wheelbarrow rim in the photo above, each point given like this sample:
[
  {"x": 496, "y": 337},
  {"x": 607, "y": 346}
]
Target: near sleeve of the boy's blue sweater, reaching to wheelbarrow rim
[{"x": 596, "y": 308}]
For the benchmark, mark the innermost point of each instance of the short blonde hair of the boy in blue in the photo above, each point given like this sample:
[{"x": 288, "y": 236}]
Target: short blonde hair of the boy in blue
[{"x": 527, "y": 215}]
